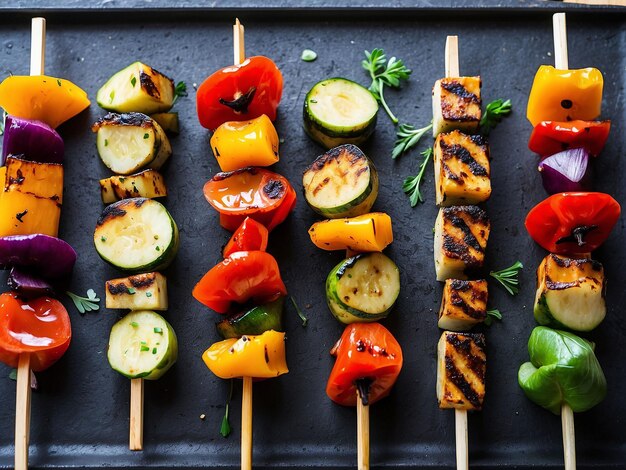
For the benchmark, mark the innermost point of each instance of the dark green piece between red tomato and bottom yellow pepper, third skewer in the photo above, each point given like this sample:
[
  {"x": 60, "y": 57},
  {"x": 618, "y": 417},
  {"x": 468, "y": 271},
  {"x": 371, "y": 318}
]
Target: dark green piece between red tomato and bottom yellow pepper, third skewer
[{"x": 255, "y": 321}]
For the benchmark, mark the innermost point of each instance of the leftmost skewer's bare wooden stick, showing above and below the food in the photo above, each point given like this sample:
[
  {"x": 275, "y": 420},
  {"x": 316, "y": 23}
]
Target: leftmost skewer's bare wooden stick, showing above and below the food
[{"x": 23, "y": 389}]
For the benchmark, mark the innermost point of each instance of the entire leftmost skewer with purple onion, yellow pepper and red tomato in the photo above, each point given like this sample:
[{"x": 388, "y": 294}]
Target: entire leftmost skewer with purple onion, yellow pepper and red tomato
[{"x": 35, "y": 328}]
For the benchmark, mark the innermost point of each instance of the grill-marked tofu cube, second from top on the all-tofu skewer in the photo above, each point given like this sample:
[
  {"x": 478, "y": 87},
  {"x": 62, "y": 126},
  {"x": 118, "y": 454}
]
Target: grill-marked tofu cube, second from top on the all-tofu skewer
[{"x": 462, "y": 173}]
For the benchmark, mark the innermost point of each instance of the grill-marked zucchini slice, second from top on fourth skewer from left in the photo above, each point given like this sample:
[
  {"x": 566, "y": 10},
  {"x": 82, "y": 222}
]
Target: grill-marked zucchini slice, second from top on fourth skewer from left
[{"x": 343, "y": 182}]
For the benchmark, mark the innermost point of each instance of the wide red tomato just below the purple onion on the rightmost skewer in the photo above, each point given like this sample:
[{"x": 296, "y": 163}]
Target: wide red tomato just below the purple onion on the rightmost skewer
[{"x": 573, "y": 223}]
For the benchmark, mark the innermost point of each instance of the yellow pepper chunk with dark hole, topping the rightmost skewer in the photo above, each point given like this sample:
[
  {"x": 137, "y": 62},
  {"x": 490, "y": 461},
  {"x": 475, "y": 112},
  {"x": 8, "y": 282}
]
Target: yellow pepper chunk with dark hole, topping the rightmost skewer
[{"x": 565, "y": 95}]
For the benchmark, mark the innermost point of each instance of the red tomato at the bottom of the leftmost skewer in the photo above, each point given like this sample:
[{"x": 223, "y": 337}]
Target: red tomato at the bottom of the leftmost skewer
[{"x": 40, "y": 327}]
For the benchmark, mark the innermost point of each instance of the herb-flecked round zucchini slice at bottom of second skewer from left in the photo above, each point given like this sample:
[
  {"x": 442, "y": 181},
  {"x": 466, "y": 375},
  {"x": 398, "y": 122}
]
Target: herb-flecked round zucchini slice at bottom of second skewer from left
[{"x": 142, "y": 345}]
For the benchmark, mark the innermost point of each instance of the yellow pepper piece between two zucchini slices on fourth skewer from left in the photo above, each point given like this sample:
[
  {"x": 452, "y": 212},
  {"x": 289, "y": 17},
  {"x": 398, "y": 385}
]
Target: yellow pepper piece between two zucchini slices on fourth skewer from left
[{"x": 367, "y": 232}]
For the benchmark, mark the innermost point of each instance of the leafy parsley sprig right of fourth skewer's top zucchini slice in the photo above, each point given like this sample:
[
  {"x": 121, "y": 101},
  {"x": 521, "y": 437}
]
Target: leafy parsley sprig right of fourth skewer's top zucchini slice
[{"x": 384, "y": 73}]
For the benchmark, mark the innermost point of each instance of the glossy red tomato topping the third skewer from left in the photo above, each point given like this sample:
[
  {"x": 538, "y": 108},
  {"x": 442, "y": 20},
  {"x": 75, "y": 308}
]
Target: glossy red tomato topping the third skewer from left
[{"x": 240, "y": 92}]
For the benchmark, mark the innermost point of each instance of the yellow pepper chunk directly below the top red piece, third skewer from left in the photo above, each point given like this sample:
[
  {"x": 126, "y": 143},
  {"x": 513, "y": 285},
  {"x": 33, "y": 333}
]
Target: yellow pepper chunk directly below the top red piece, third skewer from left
[{"x": 238, "y": 144}]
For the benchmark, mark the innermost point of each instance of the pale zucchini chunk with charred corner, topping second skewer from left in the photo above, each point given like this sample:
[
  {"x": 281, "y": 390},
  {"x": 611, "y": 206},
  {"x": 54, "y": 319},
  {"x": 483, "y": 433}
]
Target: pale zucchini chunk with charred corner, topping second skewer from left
[{"x": 139, "y": 88}]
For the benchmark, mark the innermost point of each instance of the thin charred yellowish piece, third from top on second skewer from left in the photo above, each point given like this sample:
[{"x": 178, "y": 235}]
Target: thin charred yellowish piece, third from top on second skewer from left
[{"x": 148, "y": 183}]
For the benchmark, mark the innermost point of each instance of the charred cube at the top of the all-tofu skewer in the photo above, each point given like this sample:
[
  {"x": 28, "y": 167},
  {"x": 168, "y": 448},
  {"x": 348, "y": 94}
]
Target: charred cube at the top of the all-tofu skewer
[{"x": 456, "y": 104}]
